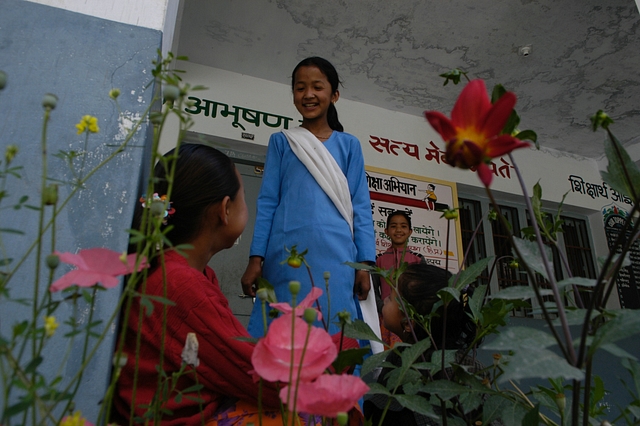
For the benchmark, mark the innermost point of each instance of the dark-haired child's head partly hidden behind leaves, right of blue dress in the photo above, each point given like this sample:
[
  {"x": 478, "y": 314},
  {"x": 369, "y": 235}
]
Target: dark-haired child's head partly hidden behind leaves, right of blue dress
[{"x": 419, "y": 285}]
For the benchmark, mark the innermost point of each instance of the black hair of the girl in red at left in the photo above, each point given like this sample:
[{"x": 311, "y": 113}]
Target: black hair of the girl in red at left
[{"x": 203, "y": 176}]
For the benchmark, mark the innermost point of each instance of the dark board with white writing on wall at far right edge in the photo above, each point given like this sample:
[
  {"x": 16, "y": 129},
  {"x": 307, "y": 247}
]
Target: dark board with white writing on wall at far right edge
[{"x": 628, "y": 278}]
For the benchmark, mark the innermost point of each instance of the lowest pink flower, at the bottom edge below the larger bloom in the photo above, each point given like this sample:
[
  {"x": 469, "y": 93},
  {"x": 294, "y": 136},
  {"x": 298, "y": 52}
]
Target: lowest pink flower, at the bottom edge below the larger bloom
[{"x": 328, "y": 395}]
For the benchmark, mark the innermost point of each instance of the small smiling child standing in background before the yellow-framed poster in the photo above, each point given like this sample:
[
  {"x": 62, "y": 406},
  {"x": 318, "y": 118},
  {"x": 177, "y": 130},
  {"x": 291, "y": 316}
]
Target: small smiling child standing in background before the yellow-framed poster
[{"x": 398, "y": 230}]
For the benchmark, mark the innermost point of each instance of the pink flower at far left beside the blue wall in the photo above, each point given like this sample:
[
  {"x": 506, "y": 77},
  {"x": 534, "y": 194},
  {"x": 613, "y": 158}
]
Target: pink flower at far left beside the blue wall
[{"x": 96, "y": 265}]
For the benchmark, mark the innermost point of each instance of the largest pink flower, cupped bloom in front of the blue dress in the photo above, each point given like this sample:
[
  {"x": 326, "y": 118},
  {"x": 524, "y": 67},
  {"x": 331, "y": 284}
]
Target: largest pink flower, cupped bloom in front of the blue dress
[{"x": 271, "y": 357}]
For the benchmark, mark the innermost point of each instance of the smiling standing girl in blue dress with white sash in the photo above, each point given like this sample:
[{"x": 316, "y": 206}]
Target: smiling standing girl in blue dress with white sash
[{"x": 314, "y": 196}]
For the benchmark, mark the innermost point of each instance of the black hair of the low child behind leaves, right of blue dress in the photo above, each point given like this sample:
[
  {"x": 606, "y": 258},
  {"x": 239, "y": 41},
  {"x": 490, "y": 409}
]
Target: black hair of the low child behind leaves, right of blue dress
[{"x": 419, "y": 285}]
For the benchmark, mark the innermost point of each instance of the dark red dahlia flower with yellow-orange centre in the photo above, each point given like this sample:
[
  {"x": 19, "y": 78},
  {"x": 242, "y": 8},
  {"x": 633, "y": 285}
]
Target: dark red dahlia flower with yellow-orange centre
[{"x": 473, "y": 134}]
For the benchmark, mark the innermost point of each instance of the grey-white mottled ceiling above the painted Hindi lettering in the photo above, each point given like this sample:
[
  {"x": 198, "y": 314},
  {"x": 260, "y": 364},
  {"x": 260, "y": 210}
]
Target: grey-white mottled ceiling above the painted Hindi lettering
[{"x": 585, "y": 54}]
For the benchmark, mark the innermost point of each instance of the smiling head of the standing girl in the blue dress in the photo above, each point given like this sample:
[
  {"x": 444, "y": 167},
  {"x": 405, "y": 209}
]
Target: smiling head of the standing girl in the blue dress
[{"x": 316, "y": 78}]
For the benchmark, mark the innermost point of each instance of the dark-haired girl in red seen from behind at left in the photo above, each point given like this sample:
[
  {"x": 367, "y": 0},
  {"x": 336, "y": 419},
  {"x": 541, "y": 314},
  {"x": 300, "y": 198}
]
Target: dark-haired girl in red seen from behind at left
[{"x": 209, "y": 213}]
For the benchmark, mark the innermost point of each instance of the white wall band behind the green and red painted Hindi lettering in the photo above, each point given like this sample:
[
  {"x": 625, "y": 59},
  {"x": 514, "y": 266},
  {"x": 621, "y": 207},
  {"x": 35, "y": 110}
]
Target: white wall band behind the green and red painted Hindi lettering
[{"x": 551, "y": 168}]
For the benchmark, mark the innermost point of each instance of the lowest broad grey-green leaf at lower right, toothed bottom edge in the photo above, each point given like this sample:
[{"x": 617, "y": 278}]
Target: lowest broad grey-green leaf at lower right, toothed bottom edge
[{"x": 538, "y": 363}]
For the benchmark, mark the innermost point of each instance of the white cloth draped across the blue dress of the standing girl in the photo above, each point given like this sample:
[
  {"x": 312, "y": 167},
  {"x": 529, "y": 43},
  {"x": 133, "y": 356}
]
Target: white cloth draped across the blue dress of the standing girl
[{"x": 323, "y": 167}]
